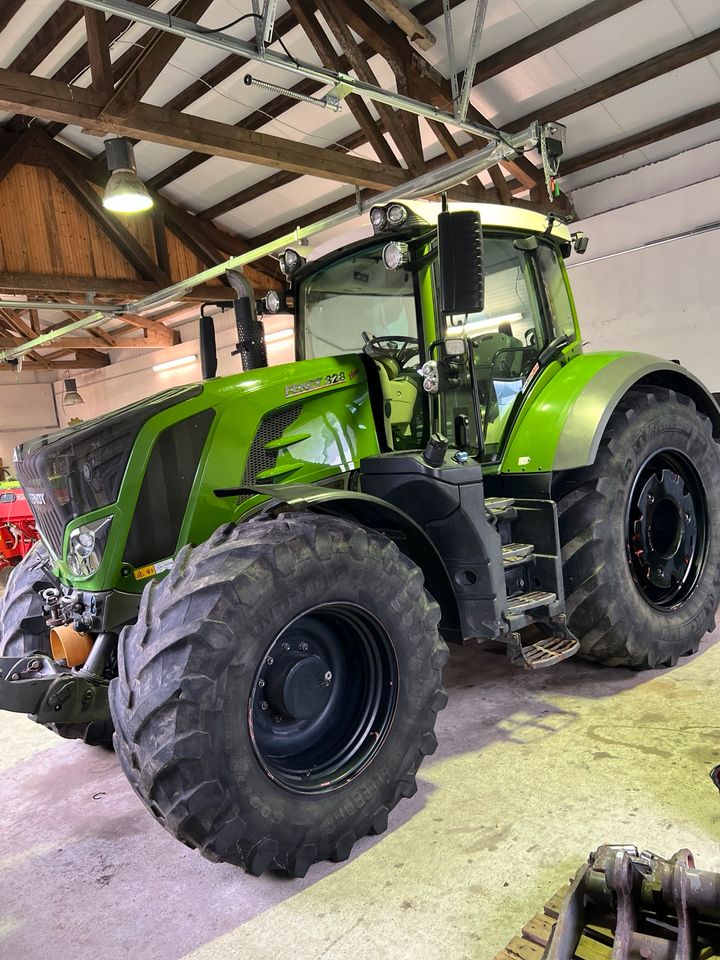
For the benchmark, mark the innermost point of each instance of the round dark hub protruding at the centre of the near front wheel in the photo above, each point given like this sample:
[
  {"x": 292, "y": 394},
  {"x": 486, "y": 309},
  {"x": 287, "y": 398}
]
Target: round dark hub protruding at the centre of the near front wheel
[{"x": 298, "y": 685}]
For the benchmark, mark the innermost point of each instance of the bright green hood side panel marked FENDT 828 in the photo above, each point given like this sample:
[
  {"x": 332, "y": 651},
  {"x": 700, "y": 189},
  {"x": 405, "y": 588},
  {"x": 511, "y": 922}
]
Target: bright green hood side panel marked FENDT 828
[{"x": 332, "y": 433}]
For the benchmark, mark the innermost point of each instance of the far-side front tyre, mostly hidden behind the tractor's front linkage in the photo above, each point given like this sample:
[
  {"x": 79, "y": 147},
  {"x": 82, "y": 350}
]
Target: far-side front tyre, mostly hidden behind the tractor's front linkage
[{"x": 23, "y": 631}]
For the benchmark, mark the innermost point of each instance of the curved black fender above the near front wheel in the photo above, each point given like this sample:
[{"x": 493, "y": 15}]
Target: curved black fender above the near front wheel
[{"x": 386, "y": 519}]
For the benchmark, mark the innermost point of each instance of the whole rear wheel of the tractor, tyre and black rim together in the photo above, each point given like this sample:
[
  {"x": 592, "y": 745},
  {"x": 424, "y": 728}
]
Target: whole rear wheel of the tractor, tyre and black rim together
[{"x": 640, "y": 534}]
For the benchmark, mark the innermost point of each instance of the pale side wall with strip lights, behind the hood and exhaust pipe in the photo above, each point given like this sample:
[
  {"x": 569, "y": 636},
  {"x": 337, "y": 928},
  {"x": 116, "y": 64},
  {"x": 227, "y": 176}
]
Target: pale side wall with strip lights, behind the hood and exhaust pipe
[{"x": 133, "y": 378}]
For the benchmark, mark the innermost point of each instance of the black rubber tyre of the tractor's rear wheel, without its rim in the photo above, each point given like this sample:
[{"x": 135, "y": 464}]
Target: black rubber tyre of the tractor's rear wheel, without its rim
[{"x": 606, "y": 610}]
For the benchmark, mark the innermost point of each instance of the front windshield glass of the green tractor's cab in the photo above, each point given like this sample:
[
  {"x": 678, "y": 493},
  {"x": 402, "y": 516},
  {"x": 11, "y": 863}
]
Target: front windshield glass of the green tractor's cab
[{"x": 355, "y": 298}]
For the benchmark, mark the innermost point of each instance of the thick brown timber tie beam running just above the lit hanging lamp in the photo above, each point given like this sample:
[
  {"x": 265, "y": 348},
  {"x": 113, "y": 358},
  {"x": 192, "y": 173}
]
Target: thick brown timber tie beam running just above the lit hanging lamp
[{"x": 54, "y": 101}]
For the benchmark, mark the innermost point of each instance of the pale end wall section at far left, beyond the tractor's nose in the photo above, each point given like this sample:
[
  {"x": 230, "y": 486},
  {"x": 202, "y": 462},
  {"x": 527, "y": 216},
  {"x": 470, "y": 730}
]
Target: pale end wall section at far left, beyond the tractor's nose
[{"x": 27, "y": 409}]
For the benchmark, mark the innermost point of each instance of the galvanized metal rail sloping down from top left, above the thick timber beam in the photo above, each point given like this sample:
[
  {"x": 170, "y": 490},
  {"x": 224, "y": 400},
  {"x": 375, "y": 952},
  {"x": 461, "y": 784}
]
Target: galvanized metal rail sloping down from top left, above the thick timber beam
[{"x": 224, "y": 41}]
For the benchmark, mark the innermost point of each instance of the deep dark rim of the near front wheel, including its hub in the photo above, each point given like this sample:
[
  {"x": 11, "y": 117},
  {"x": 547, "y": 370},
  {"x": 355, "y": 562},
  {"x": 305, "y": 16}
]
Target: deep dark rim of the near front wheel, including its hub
[{"x": 323, "y": 698}]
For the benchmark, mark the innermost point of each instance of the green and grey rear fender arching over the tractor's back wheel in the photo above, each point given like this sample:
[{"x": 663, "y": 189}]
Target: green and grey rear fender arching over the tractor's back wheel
[{"x": 561, "y": 425}]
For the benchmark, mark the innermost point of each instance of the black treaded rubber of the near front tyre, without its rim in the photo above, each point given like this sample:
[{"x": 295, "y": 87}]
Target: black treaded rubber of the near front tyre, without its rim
[{"x": 186, "y": 668}]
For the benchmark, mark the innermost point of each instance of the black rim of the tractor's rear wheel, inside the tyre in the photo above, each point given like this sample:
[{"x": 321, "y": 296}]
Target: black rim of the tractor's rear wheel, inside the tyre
[{"x": 666, "y": 529}]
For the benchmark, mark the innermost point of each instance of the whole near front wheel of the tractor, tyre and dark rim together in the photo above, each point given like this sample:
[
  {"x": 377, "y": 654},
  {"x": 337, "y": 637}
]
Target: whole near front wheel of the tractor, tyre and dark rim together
[{"x": 279, "y": 691}]
